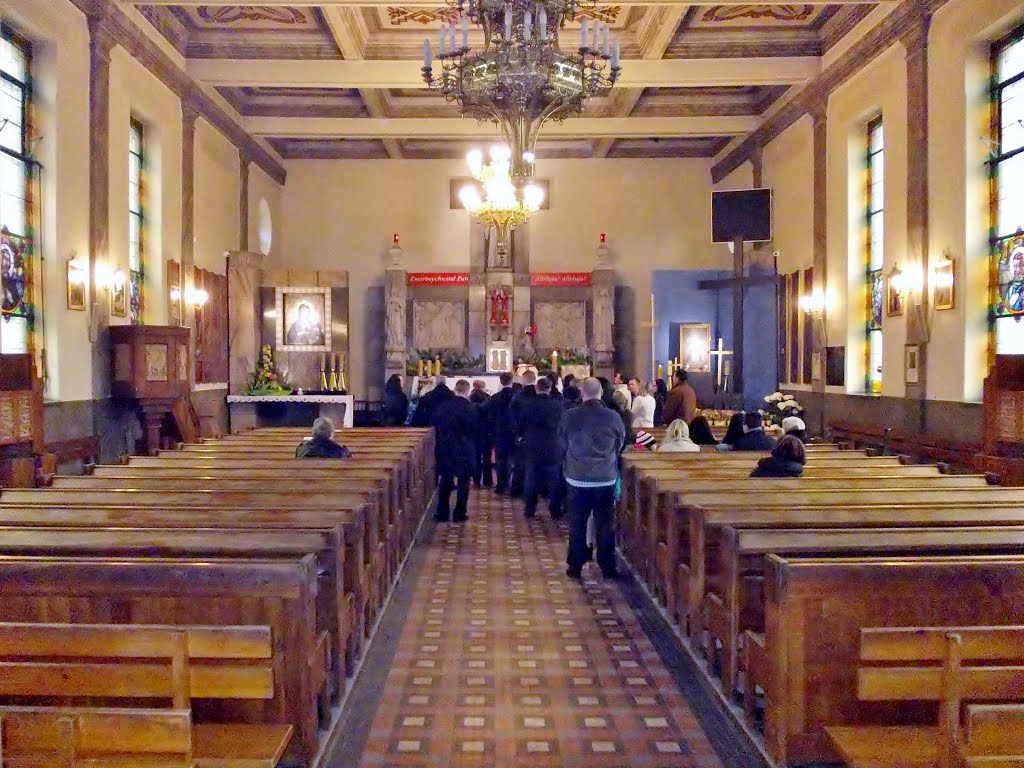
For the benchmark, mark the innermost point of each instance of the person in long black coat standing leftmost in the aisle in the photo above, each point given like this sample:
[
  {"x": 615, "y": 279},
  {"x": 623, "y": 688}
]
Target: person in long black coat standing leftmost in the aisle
[{"x": 455, "y": 431}]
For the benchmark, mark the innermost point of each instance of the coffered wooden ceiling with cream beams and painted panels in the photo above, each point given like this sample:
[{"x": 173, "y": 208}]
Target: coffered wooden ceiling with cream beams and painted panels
[{"x": 340, "y": 79}]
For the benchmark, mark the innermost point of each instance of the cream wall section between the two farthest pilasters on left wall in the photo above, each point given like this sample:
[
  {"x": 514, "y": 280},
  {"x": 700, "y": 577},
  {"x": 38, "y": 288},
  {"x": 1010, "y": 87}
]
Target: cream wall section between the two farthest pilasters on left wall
[{"x": 217, "y": 217}]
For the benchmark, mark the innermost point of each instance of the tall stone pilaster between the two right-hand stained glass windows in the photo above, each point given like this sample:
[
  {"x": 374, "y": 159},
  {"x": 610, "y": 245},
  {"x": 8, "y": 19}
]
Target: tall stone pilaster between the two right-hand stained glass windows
[{"x": 918, "y": 332}]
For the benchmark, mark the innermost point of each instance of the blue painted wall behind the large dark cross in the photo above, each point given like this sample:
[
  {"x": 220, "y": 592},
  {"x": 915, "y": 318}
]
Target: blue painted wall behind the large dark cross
[{"x": 678, "y": 302}]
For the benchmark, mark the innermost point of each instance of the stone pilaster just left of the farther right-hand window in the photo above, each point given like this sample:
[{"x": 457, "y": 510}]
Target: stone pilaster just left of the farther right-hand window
[{"x": 820, "y": 228}]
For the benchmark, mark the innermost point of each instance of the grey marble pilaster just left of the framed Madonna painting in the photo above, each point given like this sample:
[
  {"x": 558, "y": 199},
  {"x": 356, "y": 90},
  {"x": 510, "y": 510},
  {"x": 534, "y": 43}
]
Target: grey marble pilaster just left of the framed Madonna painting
[{"x": 245, "y": 274}]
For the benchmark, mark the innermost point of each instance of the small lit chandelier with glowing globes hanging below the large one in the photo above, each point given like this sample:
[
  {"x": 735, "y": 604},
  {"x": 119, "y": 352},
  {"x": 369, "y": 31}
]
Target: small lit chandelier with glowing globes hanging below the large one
[{"x": 506, "y": 203}]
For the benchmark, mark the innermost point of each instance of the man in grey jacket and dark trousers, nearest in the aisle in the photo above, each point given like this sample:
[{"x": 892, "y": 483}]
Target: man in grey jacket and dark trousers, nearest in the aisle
[{"x": 593, "y": 438}]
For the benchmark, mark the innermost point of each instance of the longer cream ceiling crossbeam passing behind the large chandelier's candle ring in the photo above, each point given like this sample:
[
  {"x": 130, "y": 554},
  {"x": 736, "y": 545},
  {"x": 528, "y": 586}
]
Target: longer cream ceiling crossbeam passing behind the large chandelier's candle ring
[{"x": 637, "y": 73}]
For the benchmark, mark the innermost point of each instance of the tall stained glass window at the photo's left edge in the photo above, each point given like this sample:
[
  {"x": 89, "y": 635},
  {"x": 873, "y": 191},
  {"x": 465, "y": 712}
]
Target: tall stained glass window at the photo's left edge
[{"x": 16, "y": 178}]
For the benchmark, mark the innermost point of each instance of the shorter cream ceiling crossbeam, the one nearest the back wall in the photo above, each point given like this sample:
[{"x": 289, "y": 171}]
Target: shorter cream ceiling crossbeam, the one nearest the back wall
[{"x": 440, "y": 129}]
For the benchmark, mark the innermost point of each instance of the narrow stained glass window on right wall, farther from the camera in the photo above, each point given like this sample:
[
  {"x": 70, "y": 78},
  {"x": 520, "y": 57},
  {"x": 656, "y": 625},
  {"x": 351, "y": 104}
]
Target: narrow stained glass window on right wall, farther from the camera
[{"x": 875, "y": 253}]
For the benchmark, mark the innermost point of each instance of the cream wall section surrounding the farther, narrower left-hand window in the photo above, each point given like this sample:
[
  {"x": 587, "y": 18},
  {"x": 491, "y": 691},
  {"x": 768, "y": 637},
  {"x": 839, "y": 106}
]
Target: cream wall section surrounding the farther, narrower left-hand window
[{"x": 136, "y": 93}]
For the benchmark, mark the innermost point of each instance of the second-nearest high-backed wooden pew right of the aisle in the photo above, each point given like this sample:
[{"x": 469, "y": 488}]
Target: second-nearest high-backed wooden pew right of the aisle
[{"x": 734, "y": 602}]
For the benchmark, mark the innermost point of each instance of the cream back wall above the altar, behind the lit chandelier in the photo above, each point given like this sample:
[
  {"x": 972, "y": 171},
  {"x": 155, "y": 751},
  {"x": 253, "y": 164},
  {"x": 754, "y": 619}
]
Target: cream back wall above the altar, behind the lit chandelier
[{"x": 342, "y": 215}]
